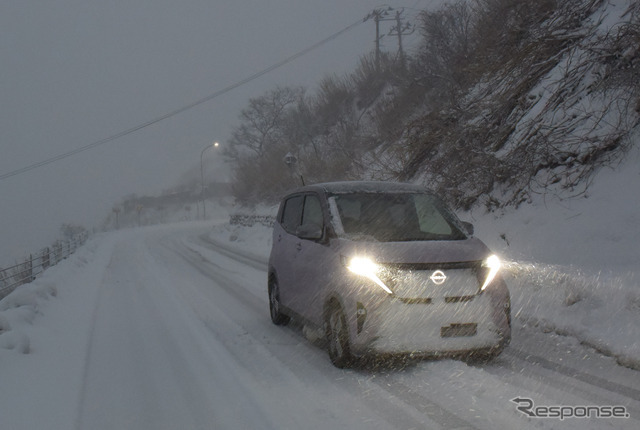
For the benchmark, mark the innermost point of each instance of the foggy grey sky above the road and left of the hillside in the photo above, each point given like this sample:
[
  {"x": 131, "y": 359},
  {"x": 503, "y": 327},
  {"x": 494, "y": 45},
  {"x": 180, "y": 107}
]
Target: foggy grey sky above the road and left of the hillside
[{"x": 74, "y": 72}]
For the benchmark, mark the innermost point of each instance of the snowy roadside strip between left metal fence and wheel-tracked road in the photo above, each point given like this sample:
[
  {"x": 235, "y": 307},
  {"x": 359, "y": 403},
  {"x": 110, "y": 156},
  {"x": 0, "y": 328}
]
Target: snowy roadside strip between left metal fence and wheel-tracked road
[{"x": 49, "y": 357}]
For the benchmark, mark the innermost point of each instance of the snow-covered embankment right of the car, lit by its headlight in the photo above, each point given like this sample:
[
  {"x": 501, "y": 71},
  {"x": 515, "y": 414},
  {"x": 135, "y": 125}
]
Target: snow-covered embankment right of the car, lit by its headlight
[{"x": 574, "y": 265}]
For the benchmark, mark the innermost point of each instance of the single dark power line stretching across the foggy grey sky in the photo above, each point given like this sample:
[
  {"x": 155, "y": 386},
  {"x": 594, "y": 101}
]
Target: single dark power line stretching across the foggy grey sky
[{"x": 181, "y": 109}]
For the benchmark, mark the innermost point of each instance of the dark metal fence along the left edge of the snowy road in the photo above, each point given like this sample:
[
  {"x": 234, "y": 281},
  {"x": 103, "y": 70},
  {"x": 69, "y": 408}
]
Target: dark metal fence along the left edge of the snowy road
[{"x": 27, "y": 271}]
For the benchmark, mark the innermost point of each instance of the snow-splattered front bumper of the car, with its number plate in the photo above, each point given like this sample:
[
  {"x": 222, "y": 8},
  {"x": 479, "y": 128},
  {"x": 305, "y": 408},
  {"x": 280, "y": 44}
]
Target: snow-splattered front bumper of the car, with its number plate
[{"x": 435, "y": 328}]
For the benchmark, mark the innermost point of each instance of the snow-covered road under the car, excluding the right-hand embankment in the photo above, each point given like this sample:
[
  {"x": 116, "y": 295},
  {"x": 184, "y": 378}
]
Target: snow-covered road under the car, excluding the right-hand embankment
[{"x": 168, "y": 328}]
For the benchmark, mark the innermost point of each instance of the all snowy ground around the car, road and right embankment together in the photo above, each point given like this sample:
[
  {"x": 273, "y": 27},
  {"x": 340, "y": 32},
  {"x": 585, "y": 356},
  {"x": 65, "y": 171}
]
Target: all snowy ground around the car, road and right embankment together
[{"x": 168, "y": 327}]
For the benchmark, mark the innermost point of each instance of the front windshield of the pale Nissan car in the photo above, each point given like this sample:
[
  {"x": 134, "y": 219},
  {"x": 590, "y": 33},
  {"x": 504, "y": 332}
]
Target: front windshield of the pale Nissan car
[{"x": 393, "y": 217}]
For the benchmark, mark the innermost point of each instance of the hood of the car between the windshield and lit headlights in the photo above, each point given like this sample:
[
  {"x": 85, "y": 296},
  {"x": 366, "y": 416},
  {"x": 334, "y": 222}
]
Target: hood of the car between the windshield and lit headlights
[{"x": 414, "y": 252}]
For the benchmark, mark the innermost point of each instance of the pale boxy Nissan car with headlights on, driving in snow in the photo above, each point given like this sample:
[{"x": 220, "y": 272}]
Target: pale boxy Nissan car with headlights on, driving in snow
[{"x": 385, "y": 268}]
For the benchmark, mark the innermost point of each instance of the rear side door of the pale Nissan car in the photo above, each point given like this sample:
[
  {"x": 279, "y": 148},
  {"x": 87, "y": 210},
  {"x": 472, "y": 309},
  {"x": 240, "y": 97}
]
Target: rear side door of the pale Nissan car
[{"x": 285, "y": 241}]
